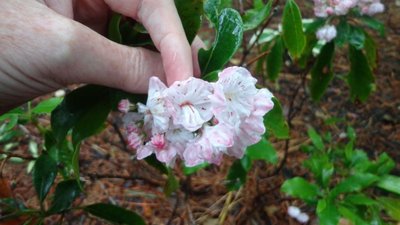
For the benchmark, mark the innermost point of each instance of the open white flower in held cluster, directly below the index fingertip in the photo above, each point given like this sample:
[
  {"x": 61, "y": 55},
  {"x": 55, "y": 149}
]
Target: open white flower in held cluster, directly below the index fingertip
[{"x": 189, "y": 105}]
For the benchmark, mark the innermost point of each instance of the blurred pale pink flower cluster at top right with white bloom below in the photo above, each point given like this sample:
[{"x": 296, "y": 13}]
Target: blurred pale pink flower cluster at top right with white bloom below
[{"x": 327, "y": 8}]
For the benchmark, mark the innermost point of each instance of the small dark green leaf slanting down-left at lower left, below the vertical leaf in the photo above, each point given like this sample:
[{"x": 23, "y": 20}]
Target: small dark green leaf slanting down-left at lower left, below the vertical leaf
[{"x": 66, "y": 192}]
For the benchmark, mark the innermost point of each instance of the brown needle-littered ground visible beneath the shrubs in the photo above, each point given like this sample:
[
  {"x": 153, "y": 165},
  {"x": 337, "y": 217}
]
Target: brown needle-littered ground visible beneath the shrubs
[{"x": 112, "y": 175}]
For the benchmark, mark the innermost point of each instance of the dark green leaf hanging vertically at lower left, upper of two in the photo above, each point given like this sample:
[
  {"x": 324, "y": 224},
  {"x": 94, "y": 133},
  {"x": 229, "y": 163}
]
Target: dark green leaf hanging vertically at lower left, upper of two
[{"x": 44, "y": 173}]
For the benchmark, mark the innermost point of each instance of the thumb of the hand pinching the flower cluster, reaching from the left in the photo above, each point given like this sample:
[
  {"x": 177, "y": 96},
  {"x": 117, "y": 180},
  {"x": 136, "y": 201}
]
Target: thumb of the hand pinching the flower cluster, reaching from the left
[{"x": 97, "y": 60}]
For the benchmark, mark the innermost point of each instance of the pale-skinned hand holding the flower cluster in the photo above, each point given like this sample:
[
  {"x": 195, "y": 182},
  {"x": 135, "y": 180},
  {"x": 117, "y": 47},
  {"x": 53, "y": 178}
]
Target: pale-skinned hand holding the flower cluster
[{"x": 49, "y": 44}]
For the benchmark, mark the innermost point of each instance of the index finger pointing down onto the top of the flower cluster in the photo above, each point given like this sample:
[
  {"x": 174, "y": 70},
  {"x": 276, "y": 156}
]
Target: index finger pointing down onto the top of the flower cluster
[{"x": 161, "y": 19}]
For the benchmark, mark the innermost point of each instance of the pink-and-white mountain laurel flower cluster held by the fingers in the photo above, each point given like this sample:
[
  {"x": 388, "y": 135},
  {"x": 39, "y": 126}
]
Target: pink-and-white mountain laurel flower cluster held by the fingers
[{"x": 196, "y": 120}]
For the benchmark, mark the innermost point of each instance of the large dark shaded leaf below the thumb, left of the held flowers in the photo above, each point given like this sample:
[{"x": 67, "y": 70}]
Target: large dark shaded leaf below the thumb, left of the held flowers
[{"x": 77, "y": 105}]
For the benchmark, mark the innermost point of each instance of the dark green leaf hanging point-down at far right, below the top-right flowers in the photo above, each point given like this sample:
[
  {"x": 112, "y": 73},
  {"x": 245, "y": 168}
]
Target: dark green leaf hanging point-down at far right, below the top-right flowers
[{"x": 360, "y": 78}]
